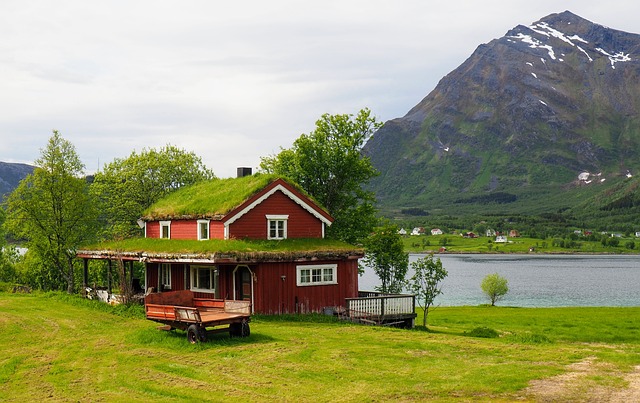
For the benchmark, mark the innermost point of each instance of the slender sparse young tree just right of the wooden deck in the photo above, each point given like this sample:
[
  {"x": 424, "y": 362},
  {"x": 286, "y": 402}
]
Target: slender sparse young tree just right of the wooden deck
[{"x": 426, "y": 282}]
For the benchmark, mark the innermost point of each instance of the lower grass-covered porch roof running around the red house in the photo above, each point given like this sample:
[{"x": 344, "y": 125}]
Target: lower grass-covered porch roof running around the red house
[{"x": 222, "y": 251}]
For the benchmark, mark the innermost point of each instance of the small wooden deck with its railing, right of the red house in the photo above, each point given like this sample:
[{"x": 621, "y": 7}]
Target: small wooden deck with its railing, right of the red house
[{"x": 380, "y": 309}]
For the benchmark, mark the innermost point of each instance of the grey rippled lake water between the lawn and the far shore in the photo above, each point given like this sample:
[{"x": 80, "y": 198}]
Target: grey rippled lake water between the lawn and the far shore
[{"x": 536, "y": 279}]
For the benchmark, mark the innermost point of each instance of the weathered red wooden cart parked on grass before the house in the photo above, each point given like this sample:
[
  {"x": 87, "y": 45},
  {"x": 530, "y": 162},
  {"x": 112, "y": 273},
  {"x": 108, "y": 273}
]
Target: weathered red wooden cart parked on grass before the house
[{"x": 181, "y": 310}]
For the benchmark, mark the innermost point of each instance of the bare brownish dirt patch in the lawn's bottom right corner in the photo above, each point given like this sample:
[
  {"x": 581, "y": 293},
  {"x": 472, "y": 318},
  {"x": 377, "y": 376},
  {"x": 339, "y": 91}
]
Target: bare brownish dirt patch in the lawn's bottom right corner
[{"x": 587, "y": 381}]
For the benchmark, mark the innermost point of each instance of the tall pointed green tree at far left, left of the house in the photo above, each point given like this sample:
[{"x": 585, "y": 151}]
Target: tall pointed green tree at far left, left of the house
[{"x": 52, "y": 210}]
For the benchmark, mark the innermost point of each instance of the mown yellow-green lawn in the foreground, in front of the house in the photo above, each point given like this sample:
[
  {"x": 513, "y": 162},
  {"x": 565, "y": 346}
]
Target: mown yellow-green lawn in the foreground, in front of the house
[{"x": 59, "y": 348}]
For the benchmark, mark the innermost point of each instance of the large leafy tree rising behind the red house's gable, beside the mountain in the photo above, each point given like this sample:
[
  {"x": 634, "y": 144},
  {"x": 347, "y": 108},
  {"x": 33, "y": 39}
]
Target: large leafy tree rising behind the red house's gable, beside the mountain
[{"x": 328, "y": 164}]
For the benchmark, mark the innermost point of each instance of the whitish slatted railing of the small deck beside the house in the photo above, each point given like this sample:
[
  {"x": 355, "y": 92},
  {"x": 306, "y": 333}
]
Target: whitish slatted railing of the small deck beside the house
[{"x": 374, "y": 304}]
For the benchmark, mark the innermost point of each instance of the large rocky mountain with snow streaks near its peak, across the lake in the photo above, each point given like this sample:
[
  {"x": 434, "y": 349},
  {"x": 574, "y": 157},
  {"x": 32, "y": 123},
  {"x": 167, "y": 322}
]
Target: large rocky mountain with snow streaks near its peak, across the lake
[{"x": 542, "y": 118}]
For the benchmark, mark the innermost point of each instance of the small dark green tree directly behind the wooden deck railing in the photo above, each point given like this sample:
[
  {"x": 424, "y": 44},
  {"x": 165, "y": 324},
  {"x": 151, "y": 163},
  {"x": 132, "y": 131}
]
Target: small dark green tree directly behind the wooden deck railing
[{"x": 386, "y": 256}]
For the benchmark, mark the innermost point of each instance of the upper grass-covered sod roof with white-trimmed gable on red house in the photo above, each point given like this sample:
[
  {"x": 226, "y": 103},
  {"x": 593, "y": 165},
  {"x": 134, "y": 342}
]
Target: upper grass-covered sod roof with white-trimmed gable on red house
[{"x": 213, "y": 198}]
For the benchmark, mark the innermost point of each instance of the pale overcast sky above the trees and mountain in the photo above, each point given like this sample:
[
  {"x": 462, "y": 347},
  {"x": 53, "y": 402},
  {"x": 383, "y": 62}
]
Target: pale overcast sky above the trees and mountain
[{"x": 236, "y": 80}]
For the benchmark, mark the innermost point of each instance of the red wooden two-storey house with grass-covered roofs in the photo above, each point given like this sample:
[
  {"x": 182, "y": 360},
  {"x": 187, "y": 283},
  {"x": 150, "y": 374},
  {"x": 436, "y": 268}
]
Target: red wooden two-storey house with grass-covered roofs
[{"x": 257, "y": 238}]
